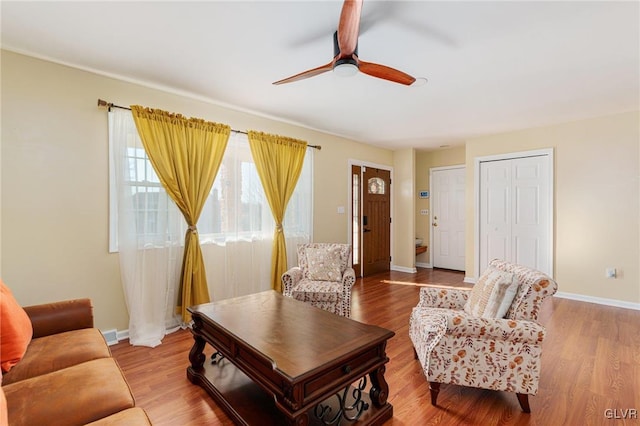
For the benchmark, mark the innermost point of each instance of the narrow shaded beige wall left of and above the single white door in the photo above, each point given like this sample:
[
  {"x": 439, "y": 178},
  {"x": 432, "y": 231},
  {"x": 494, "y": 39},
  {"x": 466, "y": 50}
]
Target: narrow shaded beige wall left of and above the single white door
[{"x": 425, "y": 161}]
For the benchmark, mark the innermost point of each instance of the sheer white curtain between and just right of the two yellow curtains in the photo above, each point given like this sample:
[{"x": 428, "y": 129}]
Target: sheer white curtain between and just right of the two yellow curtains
[{"x": 236, "y": 226}]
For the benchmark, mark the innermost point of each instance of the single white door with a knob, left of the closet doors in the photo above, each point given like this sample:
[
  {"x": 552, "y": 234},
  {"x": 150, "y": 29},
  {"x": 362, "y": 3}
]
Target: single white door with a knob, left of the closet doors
[{"x": 448, "y": 218}]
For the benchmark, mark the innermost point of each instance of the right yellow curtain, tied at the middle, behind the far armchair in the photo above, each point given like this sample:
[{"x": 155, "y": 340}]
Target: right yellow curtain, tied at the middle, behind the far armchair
[{"x": 279, "y": 162}]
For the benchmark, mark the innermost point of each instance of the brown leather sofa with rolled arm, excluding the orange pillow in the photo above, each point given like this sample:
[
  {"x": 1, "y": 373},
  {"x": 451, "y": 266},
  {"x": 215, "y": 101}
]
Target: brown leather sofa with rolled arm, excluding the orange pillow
[{"x": 67, "y": 375}]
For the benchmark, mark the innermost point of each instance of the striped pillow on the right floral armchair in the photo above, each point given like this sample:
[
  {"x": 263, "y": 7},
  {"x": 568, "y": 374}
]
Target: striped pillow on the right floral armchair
[{"x": 493, "y": 294}]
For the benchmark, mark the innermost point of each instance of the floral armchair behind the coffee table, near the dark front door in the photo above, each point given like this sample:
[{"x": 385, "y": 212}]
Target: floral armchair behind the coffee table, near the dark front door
[{"x": 324, "y": 277}]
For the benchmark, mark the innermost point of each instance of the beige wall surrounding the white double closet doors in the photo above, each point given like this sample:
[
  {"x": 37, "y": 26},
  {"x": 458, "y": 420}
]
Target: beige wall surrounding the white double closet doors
[{"x": 597, "y": 216}]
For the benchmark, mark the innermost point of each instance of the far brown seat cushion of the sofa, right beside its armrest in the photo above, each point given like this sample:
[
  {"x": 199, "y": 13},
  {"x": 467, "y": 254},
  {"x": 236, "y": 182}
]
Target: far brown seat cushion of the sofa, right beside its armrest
[{"x": 58, "y": 351}]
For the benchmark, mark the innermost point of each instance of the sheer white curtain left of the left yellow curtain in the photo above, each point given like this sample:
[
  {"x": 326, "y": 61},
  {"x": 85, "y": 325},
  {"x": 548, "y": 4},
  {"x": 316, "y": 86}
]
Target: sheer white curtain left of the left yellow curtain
[{"x": 149, "y": 235}]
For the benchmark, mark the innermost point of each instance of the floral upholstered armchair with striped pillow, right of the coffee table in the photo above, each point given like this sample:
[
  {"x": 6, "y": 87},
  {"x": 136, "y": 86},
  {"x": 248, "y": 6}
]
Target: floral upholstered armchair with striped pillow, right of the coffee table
[{"x": 486, "y": 337}]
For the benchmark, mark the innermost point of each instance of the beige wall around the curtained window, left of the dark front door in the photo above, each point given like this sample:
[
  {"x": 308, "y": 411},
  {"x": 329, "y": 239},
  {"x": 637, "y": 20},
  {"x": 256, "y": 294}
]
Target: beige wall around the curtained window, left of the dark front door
[{"x": 54, "y": 240}]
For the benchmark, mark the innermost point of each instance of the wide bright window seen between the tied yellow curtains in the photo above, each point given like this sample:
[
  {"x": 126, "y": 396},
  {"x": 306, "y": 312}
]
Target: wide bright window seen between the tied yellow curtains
[{"x": 236, "y": 208}]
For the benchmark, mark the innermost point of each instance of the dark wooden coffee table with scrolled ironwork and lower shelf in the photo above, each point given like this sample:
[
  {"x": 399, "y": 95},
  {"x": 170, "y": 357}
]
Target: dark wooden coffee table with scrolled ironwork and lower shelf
[{"x": 286, "y": 362}]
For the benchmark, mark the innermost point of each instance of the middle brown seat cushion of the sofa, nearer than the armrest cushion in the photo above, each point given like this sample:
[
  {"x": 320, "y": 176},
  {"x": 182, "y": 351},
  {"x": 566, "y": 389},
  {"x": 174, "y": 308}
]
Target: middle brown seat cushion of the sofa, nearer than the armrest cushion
[{"x": 72, "y": 396}]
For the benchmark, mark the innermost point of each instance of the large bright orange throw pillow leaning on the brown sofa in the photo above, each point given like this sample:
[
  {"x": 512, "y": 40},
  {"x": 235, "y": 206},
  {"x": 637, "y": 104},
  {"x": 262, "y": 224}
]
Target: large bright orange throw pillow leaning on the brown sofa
[{"x": 15, "y": 329}]
